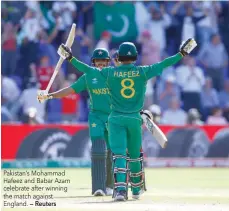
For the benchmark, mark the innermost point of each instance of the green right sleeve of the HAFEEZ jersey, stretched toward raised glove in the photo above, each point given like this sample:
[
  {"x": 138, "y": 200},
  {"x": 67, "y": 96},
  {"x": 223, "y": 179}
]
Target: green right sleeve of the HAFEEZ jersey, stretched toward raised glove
[{"x": 156, "y": 69}]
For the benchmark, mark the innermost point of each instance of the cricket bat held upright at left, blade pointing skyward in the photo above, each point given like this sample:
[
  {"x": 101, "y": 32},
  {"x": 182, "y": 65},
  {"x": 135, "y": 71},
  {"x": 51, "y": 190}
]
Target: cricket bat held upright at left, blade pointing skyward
[{"x": 69, "y": 43}]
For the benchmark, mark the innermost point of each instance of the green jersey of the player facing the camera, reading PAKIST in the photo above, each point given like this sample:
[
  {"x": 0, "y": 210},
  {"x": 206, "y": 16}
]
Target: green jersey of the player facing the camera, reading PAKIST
[{"x": 94, "y": 83}]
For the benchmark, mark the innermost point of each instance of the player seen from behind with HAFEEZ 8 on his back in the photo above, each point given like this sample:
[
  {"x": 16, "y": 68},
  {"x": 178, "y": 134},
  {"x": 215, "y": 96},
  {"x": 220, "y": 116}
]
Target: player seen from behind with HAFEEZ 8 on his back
[{"x": 127, "y": 86}]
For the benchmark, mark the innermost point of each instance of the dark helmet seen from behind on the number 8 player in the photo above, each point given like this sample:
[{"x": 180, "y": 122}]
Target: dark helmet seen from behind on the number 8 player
[{"x": 127, "y": 51}]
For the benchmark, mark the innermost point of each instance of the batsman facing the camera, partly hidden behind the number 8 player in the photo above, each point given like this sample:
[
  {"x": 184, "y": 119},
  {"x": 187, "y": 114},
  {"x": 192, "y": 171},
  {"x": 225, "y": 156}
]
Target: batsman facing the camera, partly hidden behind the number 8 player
[{"x": 93, "y": 82}]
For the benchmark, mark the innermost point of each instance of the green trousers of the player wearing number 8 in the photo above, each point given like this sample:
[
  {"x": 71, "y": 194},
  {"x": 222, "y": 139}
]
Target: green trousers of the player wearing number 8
[{"x": 125, "y": 133}]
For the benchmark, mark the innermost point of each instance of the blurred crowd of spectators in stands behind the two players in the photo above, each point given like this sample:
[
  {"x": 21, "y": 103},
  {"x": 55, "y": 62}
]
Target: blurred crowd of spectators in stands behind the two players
[{"x": 195, "y": 91}]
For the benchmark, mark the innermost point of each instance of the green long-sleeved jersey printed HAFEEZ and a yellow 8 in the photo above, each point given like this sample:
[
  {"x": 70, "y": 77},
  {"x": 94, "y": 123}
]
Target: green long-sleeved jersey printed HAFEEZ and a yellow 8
[{"x": 127, "y": 83}]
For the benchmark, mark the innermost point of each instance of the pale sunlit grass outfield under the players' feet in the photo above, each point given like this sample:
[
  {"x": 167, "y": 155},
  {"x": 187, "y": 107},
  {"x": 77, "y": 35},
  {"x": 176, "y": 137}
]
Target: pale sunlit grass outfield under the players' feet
[{"x": 167, "y": 190}]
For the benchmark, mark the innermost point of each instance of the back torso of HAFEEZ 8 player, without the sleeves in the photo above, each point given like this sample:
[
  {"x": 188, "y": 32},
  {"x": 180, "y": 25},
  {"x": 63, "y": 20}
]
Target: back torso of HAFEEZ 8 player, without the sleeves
[{"x": 127, "y": 85}]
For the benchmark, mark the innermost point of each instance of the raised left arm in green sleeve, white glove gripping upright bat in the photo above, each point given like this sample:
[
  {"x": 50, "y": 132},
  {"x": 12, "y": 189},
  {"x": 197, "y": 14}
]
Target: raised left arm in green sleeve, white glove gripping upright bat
[{"x": 66, "y": 53}]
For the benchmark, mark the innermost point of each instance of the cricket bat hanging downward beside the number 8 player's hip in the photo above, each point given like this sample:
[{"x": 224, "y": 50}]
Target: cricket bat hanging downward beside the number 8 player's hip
[{"x": 155, "y": 130}]
